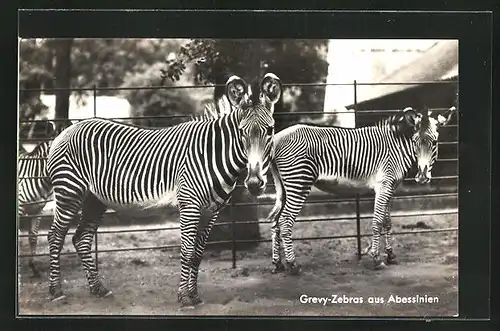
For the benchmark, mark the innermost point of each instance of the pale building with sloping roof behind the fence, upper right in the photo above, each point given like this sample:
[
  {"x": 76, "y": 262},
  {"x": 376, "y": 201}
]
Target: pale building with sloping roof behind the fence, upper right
[{"x": 388, "y": 61}]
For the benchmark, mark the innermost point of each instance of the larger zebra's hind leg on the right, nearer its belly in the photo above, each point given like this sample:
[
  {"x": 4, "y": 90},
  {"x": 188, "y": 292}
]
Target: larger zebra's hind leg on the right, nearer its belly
[{"x": 92, "y": 212}]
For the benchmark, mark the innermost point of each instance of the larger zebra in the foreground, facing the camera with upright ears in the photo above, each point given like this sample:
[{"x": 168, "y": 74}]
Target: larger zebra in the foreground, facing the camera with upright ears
[{"x": 194, "y": 165}]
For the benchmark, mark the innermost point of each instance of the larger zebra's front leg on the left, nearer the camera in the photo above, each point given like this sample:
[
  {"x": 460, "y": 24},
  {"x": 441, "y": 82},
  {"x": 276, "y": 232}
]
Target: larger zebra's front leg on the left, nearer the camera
[{"x": 189, "y": 219}]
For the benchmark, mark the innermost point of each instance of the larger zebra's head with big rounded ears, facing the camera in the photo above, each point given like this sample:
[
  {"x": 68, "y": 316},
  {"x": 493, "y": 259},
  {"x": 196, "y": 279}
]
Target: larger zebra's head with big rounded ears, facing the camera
[{"x": 256, "y": 126}]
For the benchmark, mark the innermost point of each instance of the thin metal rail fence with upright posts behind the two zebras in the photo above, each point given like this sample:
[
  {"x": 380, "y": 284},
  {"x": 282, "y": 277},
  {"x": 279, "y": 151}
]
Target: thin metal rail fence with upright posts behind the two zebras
[{"x": 357, "y": 199}]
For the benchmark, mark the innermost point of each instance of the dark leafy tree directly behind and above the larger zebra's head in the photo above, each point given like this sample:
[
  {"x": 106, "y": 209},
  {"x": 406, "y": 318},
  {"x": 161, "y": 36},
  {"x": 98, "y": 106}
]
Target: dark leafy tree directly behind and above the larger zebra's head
[{"x": 294, "y": 61}]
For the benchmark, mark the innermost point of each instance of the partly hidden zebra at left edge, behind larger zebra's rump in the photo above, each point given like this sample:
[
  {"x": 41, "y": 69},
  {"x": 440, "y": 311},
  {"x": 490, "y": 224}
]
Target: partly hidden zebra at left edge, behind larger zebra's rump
[{"x": 33, "y": 187}]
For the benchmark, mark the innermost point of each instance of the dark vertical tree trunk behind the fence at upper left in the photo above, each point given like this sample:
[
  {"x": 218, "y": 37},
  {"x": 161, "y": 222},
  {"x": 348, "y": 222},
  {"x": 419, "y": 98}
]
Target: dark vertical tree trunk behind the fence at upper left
[{"x": 63, "y": 78}]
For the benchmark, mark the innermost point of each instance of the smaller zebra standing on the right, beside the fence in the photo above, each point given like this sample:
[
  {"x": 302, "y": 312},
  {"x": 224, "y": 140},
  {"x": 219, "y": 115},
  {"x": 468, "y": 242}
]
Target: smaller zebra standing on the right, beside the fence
[{"x": 377, "y": 157}]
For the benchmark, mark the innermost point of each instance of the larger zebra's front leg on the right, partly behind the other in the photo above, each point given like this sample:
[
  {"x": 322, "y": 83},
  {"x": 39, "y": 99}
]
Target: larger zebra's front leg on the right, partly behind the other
[{"x": 199, "y": 248}]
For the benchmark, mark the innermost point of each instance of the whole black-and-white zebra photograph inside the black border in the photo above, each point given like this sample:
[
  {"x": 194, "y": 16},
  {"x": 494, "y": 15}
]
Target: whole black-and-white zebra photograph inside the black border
[{"x": 238, "y": 177}]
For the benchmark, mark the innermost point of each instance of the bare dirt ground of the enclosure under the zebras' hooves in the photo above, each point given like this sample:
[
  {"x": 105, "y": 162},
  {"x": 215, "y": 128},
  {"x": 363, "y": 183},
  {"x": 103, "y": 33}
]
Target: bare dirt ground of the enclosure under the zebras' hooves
[{"x": 145, "y": 282}]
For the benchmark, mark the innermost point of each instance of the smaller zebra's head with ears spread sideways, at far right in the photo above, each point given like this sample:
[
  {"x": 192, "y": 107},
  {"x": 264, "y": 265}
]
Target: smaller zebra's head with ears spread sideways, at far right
[{"x": 426, "y": 126}]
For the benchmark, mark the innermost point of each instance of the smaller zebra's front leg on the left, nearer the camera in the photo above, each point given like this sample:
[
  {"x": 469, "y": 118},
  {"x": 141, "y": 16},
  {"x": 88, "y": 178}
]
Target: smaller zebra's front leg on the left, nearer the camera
[{"x": 383, "y": 195}]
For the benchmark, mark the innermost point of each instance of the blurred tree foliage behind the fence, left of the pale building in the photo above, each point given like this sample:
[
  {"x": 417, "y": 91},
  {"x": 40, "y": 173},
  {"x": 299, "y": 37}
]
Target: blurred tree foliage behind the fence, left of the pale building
[{"x": 109, "y": 63}]
